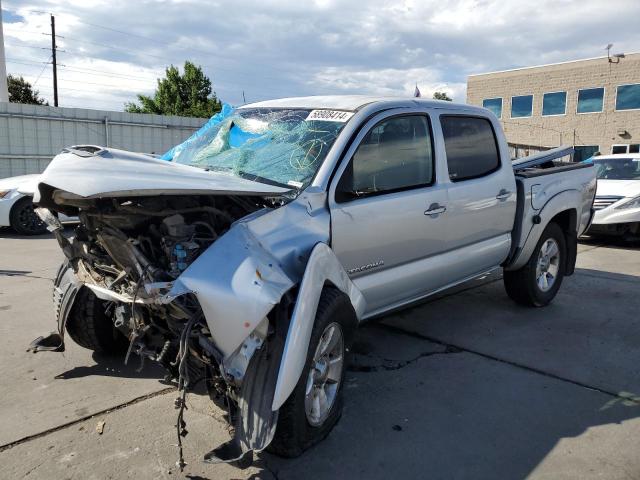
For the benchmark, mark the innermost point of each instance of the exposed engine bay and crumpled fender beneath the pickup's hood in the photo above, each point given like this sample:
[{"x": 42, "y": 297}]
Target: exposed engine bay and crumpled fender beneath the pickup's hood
[{"x": 186, "y": 290}]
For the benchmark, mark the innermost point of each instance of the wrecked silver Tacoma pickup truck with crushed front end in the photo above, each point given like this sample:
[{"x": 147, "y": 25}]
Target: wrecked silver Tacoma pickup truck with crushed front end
[{"x": 248, "y": 260}]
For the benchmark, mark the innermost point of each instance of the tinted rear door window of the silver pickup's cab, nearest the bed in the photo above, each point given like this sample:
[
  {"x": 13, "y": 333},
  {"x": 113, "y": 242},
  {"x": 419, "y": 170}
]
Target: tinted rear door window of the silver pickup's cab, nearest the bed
[{"x": 470, "y": 143}]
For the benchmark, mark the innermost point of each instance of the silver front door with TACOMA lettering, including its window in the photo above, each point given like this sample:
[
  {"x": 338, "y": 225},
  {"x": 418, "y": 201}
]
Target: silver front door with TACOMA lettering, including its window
[{"x": 388, "y": 209}]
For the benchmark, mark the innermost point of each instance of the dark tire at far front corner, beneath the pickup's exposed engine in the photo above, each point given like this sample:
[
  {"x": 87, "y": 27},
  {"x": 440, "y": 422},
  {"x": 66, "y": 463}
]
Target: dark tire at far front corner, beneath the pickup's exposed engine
[{"x": 91, "y": 328}]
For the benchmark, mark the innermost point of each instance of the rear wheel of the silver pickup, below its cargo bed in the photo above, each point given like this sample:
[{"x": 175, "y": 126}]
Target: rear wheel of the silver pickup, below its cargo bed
[{"x": 523, "y": 285}]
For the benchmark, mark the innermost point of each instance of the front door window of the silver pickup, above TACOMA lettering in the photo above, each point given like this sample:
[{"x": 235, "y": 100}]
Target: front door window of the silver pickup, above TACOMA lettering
[{"x": 396, "y": 154}]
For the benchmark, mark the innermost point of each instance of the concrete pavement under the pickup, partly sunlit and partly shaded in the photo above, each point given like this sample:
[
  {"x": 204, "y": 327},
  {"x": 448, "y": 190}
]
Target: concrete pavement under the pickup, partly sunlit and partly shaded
[{"x": 468, "y": 385}]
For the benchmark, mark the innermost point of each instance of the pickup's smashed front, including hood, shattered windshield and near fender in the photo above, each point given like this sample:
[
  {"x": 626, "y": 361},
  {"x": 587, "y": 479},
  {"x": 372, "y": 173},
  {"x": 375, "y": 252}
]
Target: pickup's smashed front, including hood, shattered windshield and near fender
[{"x": 214, "y": 272}]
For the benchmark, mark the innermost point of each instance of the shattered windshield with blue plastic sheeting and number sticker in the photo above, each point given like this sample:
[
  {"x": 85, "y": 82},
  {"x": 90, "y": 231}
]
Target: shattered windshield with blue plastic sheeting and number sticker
[{"x": 283, "y": 147}]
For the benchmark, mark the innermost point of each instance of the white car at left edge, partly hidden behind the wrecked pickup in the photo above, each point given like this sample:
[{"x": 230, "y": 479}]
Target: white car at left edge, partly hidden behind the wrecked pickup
[{"x": 16, "y": 205}]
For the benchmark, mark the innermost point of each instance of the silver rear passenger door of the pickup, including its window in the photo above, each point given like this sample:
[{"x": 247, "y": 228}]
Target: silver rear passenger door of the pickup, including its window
[{"x": 481, "y": 194}]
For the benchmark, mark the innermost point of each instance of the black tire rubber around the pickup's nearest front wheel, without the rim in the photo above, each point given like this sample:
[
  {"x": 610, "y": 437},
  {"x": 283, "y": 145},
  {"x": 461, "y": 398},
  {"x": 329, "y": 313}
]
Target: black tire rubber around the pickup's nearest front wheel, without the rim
[{"x": 295, "y": 433}]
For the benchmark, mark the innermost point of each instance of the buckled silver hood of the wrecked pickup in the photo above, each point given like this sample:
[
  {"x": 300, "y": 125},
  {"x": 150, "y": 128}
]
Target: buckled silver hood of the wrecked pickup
[{"x": 116, "y": 173}]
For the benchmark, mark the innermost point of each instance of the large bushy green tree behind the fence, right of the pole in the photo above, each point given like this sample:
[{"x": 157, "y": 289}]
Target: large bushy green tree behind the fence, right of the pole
[{"x": 187, "y": 95}]
